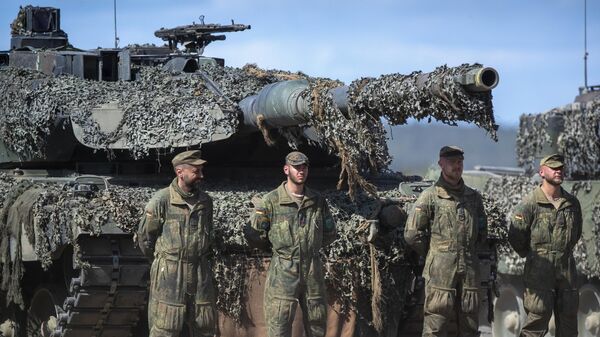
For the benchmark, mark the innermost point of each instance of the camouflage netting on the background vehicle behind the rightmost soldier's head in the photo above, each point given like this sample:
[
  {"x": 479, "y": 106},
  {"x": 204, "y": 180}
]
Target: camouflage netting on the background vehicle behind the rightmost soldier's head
[{"x": 579, "y": 139}]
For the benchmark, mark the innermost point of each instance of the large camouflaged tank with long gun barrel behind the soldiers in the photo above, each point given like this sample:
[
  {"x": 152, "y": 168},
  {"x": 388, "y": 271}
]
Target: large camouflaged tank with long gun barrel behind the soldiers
[{"x": 86, "y": 137}]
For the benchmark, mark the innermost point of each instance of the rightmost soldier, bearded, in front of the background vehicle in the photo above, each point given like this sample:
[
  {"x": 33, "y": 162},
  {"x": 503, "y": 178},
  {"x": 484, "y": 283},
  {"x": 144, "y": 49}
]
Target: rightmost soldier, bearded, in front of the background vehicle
[{"x": 545, "y": 228}]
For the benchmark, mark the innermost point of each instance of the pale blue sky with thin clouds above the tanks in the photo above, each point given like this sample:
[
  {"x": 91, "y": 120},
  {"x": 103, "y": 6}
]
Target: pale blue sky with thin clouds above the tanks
[{"x": 536, "y": 45}]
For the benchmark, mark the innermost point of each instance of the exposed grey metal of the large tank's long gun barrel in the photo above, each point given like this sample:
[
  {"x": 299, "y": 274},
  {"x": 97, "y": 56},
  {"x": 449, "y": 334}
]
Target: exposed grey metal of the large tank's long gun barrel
[{"x": 281, "y": 104}]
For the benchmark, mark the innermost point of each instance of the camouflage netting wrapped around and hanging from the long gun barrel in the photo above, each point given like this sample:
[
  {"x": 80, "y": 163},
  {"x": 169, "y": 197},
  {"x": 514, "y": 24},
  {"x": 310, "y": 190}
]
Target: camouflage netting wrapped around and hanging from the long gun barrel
[{"x": 358, "y": 136}]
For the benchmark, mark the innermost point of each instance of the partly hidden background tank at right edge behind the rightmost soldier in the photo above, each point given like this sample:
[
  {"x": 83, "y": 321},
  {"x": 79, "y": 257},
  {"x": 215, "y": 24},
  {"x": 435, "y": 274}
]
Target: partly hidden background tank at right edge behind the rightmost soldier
[{"x": 572, "y": 130}]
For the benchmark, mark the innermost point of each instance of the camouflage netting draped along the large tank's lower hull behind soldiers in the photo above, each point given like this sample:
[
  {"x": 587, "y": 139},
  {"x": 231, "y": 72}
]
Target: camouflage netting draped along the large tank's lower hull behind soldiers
[{"x": 49, "y": 211}]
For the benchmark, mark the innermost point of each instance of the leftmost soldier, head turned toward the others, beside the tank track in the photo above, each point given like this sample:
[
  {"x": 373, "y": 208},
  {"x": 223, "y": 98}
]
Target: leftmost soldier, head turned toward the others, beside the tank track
[{"x": 177, "y": 230}]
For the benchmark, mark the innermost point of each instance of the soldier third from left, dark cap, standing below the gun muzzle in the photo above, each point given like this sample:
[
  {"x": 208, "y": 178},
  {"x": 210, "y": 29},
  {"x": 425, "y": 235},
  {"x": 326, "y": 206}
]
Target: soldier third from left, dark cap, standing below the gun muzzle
[{"x": 447, "y": 224}]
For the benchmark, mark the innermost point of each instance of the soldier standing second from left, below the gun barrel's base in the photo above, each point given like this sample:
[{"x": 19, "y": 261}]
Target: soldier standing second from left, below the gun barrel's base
[{"x": 296, "y": 222}]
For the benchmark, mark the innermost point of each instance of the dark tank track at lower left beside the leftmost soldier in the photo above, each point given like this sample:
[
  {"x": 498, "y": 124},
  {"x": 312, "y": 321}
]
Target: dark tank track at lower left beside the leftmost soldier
[{"x": 108, "y": 296}]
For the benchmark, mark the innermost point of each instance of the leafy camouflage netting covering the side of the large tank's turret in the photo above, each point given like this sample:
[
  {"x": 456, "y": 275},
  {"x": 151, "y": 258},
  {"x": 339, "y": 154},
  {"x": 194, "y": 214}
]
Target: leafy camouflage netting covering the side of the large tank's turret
[{"x": 156, "y": 107}]
